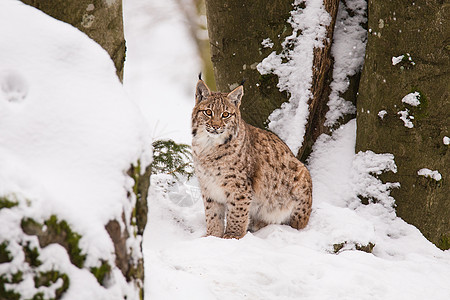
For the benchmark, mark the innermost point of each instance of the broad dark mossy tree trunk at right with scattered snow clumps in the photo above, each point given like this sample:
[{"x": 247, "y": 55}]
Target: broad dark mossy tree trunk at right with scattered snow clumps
[{"x": 419, "y": 31}]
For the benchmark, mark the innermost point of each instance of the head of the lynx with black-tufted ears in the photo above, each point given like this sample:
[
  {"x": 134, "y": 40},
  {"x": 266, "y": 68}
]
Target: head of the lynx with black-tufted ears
[{"x": 216, "y": 115}]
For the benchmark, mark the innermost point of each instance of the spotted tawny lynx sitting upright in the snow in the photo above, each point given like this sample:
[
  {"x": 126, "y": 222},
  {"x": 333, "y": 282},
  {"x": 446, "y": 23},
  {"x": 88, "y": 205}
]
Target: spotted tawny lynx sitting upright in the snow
[{"x": 247, "y": 175}]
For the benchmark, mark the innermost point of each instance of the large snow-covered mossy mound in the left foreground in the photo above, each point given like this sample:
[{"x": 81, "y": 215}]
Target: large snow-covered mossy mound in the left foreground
[{"x": 74, "y": 159}]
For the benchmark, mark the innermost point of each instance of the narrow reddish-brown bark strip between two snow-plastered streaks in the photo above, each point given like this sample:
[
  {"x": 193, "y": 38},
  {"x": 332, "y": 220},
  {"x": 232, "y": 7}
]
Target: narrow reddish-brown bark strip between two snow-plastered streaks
[{"x": 322, "y": 77}]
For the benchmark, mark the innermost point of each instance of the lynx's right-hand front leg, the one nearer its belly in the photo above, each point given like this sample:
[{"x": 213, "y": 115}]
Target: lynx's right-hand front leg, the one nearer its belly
[{"x": 237, "y": 217}]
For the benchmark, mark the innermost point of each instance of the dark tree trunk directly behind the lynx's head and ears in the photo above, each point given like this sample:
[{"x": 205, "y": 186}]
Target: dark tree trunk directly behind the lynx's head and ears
[{"x": 236, "y": 30}]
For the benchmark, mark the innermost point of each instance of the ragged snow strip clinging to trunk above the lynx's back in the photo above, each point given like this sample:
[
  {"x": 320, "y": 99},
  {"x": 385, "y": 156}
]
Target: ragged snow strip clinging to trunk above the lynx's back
[{"x": 295, "y": 74}]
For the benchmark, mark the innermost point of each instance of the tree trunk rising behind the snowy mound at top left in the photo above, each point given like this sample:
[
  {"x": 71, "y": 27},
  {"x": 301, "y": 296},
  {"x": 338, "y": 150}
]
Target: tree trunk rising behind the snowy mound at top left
[{"x": 101, "y": 20}]
